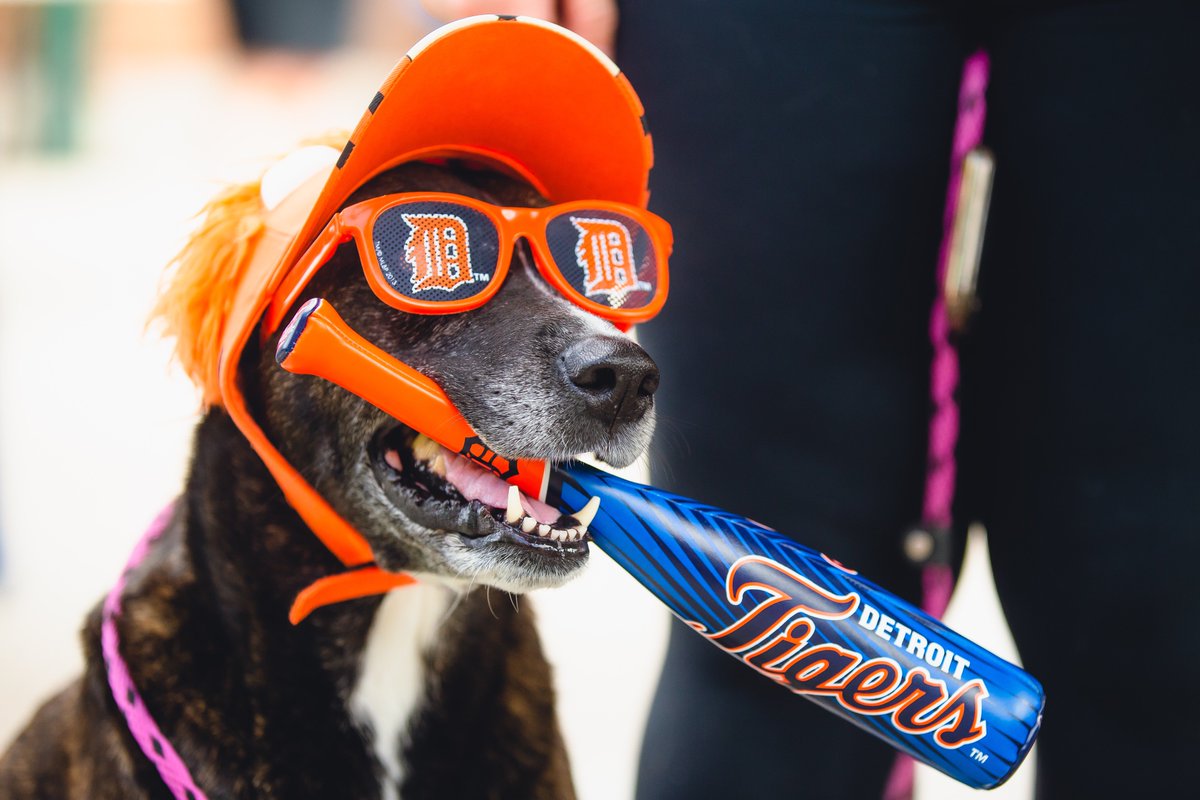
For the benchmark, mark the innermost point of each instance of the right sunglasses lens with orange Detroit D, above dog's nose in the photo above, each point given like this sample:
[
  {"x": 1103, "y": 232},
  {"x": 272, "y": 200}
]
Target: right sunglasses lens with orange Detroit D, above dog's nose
[{"x": 608, "y": 257}]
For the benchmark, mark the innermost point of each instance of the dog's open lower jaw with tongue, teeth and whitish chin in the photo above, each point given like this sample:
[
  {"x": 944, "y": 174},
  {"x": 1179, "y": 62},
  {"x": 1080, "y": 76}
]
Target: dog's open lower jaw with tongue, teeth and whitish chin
[{"x": 475, "y": 528}]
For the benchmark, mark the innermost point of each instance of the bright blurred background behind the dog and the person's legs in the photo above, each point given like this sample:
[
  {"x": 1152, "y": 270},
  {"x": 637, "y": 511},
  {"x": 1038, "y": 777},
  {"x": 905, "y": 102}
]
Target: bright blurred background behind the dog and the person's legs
[{"x": 118, "y": 121}]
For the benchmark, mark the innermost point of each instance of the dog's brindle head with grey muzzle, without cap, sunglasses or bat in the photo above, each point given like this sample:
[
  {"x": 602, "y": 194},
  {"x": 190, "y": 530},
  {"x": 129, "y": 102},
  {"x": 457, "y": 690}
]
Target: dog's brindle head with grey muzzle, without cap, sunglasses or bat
[{"x": 535, "y": 375}]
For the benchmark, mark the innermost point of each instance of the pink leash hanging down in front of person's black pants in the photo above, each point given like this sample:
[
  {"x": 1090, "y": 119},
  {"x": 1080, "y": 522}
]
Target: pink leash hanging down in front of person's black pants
[{"x": 938, "y": 578}]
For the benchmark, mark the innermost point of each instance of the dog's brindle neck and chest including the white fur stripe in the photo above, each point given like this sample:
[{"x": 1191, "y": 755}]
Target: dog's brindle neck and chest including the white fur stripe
[{"x": 326, "y": 708}]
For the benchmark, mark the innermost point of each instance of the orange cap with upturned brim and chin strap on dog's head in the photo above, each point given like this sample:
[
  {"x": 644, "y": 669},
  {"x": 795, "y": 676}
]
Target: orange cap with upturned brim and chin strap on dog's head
[{"x": 514, "y": 93}]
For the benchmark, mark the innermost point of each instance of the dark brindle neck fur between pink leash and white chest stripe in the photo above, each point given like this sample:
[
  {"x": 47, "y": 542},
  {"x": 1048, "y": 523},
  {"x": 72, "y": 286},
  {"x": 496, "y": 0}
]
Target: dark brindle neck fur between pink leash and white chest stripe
[{"x": 207, "y": 639}]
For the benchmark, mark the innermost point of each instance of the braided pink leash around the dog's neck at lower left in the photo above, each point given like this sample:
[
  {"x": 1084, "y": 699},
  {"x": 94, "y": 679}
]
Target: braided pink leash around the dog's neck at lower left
[{"x": 142, "y": 726}]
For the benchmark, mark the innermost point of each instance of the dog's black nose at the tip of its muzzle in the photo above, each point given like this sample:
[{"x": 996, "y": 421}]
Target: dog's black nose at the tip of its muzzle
[{"x": 616, "y": 378}]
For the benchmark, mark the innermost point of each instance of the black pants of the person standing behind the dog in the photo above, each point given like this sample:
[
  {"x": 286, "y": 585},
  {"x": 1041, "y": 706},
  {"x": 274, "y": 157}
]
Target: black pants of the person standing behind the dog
[{"x": 802, "y": 158}]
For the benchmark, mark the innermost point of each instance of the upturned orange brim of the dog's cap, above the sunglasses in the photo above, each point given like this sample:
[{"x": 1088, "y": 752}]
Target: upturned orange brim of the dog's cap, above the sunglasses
[{"x": 514, "y": 91}]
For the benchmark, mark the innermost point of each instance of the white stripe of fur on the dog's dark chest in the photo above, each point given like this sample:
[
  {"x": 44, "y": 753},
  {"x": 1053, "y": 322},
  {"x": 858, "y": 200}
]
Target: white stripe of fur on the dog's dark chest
[{"x": 392, "y": 676}]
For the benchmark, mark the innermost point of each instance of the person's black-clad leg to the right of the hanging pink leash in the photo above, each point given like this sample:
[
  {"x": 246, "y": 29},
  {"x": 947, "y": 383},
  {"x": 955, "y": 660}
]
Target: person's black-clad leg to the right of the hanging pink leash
[{"x": 1083, "y": 386}]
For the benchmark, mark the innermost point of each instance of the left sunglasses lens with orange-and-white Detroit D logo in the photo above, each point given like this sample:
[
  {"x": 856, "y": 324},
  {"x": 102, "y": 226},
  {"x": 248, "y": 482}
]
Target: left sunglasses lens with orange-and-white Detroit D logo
[{"x": 436, "y": 251}]
